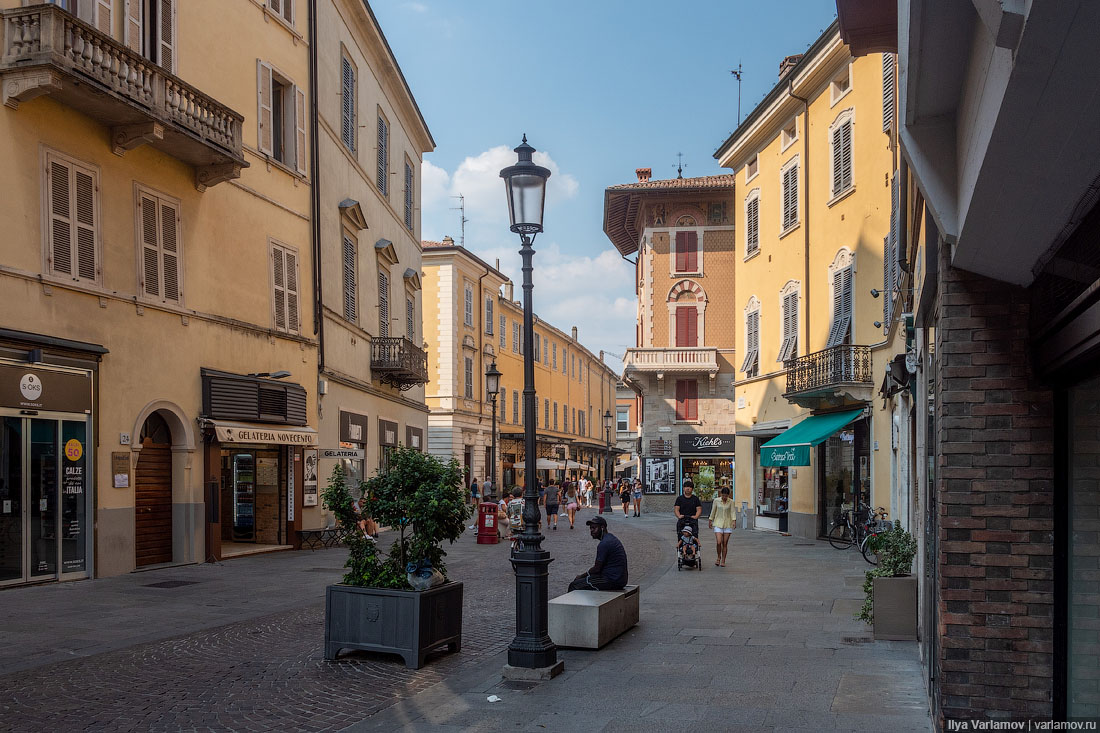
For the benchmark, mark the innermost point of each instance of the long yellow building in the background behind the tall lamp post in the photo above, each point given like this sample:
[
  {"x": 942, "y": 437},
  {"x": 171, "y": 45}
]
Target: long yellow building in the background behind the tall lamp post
[{"x": 471, "y": 321}]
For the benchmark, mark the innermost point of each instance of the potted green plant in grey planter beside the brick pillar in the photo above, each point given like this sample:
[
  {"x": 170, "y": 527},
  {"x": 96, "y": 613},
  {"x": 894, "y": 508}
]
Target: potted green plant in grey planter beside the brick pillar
[{"x": 890, "y": 589}]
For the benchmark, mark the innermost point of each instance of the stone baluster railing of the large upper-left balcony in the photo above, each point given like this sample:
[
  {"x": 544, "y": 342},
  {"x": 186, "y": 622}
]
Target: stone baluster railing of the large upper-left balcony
[{"x": 48, "y": 36}]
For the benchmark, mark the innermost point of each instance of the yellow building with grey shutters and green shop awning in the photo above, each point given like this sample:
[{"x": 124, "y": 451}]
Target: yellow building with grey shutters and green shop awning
[{"x": 815, "y": 168}]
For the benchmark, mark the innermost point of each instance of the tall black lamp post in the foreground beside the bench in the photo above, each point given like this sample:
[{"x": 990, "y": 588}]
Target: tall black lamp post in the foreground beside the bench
[{"x": 532, "y": 655}]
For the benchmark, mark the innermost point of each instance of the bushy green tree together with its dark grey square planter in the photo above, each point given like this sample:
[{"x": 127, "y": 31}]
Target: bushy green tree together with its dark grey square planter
[{"x": 377, "y": 608}]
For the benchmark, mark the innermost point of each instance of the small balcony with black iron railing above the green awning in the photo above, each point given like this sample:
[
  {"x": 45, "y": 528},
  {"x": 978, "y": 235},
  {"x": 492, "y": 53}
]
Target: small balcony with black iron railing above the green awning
[{"x": 831, "y": 378}]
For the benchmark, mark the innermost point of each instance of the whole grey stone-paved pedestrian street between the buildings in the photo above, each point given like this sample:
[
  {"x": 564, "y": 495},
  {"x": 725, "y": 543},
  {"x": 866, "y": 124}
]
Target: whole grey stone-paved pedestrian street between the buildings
[{"x": 768, "y": 643}]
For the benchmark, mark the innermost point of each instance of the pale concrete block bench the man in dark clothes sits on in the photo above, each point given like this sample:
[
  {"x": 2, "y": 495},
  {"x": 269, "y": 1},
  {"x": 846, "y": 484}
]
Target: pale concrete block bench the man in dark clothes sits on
[{"x": 589, "y": 620}]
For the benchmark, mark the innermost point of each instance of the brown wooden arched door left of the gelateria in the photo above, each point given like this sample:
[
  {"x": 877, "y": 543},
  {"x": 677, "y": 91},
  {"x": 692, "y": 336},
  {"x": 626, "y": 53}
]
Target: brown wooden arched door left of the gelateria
[{"x": 153, "y": 494}]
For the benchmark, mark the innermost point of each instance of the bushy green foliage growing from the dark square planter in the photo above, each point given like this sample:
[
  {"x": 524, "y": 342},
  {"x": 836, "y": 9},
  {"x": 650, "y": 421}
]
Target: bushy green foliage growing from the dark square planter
[{"x": 420, "y": 498}]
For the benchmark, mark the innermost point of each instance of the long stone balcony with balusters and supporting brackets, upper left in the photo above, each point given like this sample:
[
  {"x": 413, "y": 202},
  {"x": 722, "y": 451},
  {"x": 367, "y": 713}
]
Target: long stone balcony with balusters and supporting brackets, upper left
[{"x": 47, "y": 51}]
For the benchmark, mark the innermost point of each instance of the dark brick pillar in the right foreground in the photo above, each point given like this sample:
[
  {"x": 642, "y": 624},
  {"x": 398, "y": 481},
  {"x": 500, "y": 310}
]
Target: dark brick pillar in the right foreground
[{"x": 995, "y": 489}]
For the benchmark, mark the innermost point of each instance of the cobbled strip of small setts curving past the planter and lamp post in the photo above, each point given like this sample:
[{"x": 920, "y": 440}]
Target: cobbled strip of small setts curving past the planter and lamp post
[{"x": 268, "y": 673}]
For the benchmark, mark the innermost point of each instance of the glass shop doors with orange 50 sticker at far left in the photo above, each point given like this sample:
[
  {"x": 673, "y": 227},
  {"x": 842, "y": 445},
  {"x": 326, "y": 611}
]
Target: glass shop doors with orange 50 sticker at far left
[{"x": 43, "y": 499}]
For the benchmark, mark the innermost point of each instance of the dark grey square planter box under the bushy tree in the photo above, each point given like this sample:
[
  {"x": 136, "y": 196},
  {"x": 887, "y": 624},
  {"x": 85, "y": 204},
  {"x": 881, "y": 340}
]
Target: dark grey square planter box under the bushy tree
[{"x": 410, "y": 623}]
